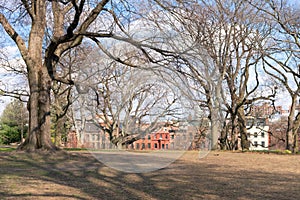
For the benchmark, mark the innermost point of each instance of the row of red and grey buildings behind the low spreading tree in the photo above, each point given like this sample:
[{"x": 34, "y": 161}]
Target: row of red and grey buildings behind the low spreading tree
[{"x": 179, "y": 136}]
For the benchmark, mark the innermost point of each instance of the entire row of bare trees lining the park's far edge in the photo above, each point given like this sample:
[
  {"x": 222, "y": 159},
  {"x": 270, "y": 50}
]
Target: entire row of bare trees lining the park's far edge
[{"x": 152, "y": 59}]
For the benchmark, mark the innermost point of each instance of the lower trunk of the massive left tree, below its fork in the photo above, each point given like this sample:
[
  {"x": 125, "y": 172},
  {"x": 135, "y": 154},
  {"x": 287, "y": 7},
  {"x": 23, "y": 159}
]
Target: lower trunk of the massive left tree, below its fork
[{"x": 39, "y": 112}]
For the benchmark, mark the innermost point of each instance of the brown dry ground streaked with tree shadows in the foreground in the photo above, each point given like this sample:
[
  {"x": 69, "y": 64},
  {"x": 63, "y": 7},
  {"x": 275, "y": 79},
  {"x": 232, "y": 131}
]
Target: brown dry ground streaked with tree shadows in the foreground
[{"x": 219, "y": 175}]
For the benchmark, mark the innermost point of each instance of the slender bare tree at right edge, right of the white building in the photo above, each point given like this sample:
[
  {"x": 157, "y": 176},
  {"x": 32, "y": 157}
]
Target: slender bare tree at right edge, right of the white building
[{"x": 281, "y": 57}]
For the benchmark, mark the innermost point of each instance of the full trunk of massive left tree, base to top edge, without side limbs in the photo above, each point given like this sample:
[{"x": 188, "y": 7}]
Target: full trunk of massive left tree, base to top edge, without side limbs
[{"x": 39, "y": 84}]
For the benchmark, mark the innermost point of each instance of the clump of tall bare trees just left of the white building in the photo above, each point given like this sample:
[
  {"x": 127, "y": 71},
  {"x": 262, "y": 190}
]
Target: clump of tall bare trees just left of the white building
[{"x": 218, "y": 47}]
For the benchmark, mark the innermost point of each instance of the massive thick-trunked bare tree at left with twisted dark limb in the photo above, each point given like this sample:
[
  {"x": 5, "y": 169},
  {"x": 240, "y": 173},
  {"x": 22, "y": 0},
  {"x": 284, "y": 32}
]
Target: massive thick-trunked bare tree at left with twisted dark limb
[{"x": 52, "y": 27}]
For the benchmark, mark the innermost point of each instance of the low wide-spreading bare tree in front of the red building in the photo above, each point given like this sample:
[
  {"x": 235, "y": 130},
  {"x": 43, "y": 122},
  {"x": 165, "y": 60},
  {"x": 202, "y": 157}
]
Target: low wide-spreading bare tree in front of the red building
[{"x": 125, "y": 102}]
